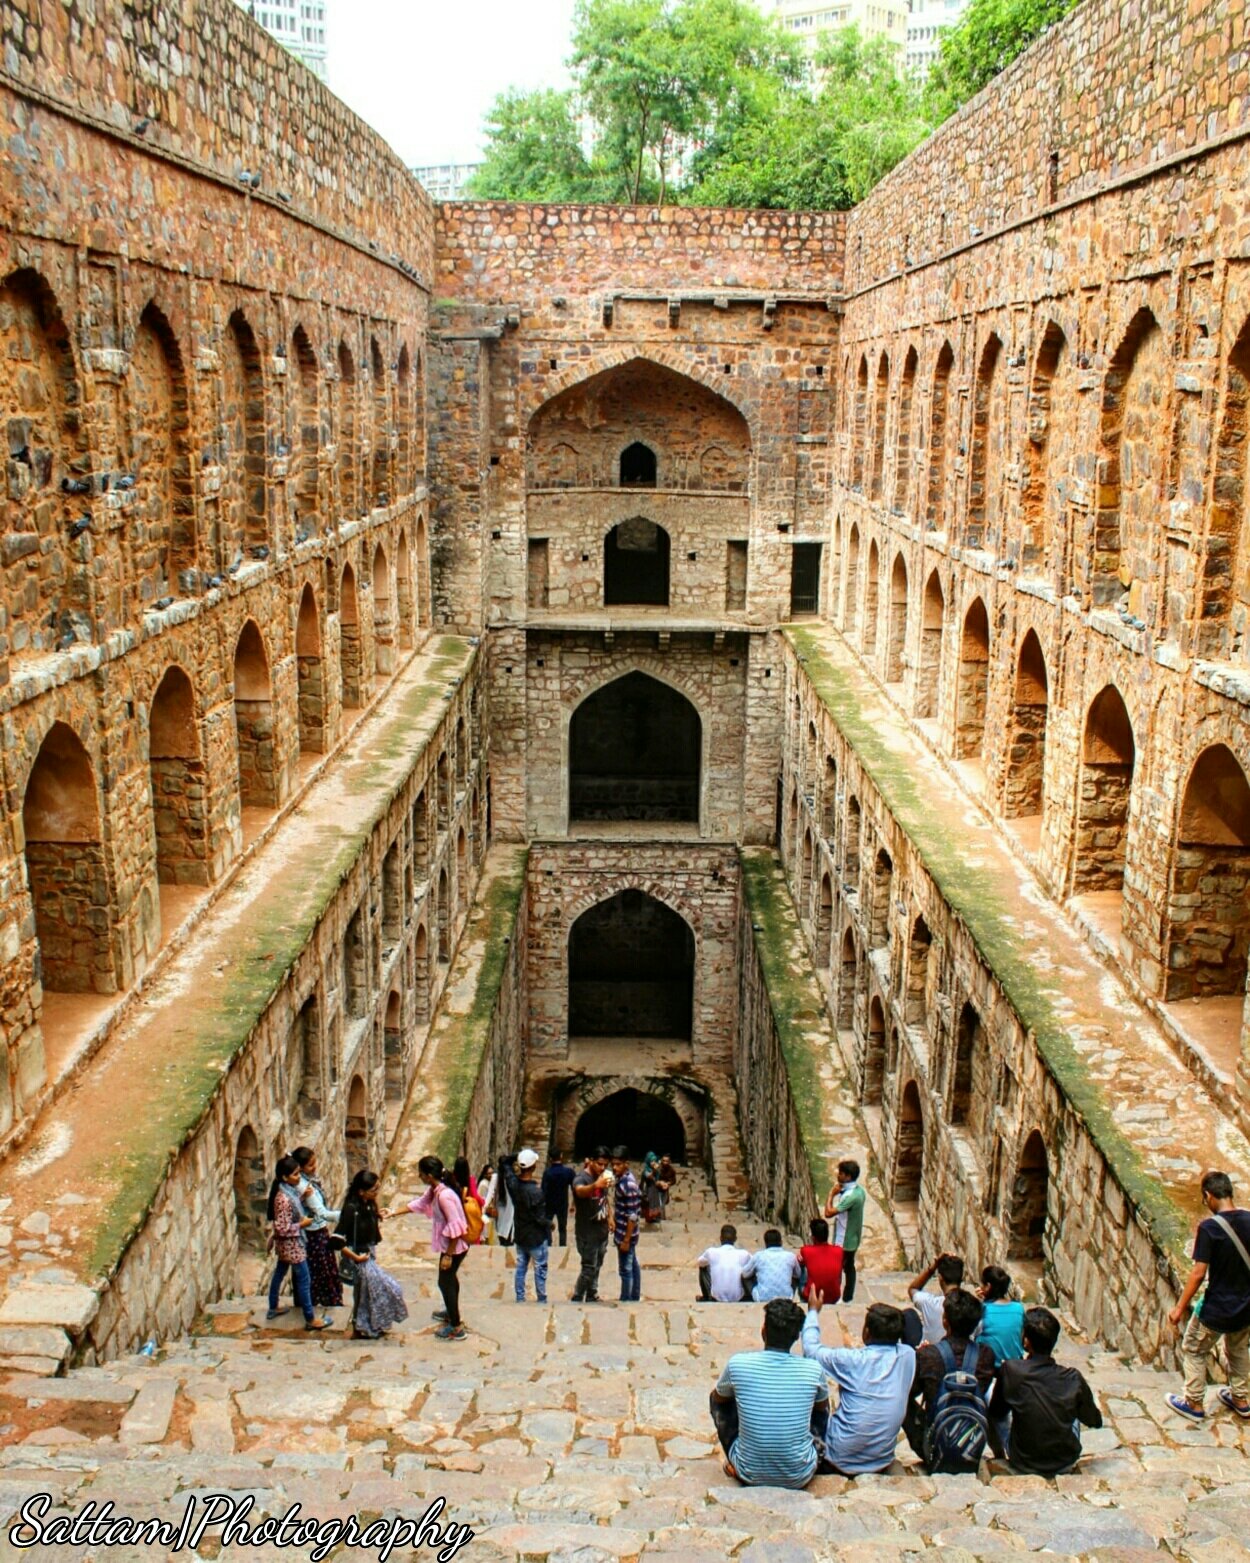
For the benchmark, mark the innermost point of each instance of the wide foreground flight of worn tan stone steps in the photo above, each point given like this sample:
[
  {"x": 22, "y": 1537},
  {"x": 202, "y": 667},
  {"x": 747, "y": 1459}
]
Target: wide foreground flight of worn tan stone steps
[{"x": 580, "y": 1434}]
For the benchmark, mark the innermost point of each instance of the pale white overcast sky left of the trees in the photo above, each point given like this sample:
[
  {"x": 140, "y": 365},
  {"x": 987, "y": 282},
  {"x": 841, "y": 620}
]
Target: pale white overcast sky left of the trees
[{"x": 424, "y": 73}]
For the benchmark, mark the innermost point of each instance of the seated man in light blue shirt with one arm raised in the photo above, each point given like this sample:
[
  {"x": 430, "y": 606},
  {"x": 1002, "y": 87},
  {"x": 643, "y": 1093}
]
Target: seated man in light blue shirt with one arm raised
[{"x": 874, "y": 1389}]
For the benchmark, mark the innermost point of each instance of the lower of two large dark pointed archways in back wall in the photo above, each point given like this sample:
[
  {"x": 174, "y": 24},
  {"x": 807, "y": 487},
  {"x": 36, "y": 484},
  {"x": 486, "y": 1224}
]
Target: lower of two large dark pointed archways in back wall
[{"x": 632, "y": 970}]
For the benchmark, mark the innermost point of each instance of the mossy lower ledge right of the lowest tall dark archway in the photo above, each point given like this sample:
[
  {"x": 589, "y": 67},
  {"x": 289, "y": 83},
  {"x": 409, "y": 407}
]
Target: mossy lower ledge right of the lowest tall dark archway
[{"x": 795, "y": 996}]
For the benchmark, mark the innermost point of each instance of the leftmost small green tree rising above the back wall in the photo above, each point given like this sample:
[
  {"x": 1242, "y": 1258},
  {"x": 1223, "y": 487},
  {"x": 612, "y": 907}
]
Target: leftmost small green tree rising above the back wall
[{"x": 534, "y": 151}]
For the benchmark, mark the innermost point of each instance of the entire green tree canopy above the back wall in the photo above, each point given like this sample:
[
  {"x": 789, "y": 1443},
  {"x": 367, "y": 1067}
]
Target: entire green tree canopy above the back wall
[{"x": 709, "y": 102}]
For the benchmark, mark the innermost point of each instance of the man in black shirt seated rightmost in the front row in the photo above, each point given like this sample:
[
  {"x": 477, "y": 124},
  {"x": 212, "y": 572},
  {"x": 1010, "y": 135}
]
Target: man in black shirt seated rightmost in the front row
[{"x": 1038, "y": 1406}]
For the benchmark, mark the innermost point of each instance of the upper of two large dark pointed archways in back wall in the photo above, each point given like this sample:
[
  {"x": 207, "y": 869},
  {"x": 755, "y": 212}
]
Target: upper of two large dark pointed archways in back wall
[{"x": 635, "y": 751}]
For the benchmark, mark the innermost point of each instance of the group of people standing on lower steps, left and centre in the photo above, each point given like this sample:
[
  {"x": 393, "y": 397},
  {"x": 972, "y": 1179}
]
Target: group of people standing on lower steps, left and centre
[{"x": 509, "y": 1204}]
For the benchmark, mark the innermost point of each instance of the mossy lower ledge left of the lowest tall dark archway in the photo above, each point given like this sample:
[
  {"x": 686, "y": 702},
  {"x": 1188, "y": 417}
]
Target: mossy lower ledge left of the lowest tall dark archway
[{"x": 462, "y": 1060}]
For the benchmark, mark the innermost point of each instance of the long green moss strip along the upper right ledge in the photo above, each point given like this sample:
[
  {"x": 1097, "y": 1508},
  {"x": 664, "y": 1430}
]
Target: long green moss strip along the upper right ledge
[{"x": 976, "y": 896}]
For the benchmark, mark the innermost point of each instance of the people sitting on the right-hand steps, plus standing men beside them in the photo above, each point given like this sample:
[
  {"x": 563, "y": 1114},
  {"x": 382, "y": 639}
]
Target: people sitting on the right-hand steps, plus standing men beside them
[{"x": 960, "y": 1372}]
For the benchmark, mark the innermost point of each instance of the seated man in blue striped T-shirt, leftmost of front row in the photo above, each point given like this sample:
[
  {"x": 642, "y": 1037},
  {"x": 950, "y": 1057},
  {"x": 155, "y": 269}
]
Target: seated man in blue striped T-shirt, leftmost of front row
[{"x": 771, "y": 1409}]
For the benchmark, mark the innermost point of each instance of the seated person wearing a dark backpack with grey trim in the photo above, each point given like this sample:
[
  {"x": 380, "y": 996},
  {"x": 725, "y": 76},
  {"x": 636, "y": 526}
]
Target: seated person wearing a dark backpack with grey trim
[{"x": 952, "y": 1382}]
